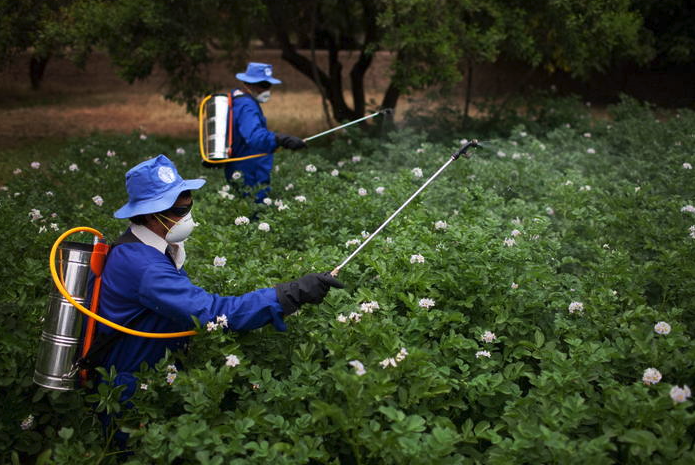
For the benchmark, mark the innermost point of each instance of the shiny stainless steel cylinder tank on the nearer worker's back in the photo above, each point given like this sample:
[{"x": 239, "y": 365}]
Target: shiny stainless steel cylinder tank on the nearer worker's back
[{"x": 61, "y": 339}]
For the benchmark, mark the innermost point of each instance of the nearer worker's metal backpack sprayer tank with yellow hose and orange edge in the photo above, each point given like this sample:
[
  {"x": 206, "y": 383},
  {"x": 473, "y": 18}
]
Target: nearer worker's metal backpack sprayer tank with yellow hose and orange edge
[{"x": 64, "y": 347}]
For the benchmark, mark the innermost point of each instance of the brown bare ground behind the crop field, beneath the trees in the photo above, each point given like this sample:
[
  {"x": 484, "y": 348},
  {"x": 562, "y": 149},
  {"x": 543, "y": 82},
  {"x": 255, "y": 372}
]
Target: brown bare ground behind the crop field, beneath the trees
[{"x": 75, "y": 102}]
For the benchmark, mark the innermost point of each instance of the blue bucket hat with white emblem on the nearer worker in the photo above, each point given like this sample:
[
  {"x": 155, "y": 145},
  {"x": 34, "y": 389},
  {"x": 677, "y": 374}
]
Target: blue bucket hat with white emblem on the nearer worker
[{"x": 153, "y": 186}]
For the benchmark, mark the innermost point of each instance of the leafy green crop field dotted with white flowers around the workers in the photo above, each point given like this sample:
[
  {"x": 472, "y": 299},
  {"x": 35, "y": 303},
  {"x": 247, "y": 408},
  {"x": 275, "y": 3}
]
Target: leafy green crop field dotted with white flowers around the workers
[{"x": 533, "y": 305}]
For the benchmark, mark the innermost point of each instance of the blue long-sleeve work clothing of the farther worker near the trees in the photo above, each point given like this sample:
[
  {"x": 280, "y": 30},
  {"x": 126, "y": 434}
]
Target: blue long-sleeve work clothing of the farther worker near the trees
[{"x": 250, "y": 137}]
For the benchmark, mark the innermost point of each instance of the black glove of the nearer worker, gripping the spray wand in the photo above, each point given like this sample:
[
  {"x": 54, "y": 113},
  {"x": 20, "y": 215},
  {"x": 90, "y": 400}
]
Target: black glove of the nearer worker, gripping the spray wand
[{"x": 309, "y": 289}]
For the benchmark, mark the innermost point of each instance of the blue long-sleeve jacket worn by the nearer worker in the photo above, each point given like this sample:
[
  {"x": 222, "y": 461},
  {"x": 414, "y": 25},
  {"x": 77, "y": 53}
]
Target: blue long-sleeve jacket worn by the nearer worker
[{"x": 139, "y": 278}]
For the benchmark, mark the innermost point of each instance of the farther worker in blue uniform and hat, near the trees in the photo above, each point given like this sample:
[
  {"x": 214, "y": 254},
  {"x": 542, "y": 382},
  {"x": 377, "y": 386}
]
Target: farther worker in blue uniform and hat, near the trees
[{"x": 250, "y": 134}]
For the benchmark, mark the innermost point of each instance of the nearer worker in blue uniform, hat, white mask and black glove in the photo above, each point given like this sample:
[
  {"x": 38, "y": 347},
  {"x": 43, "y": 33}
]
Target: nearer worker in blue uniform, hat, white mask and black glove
[{"x": 145, "y": 287}]
